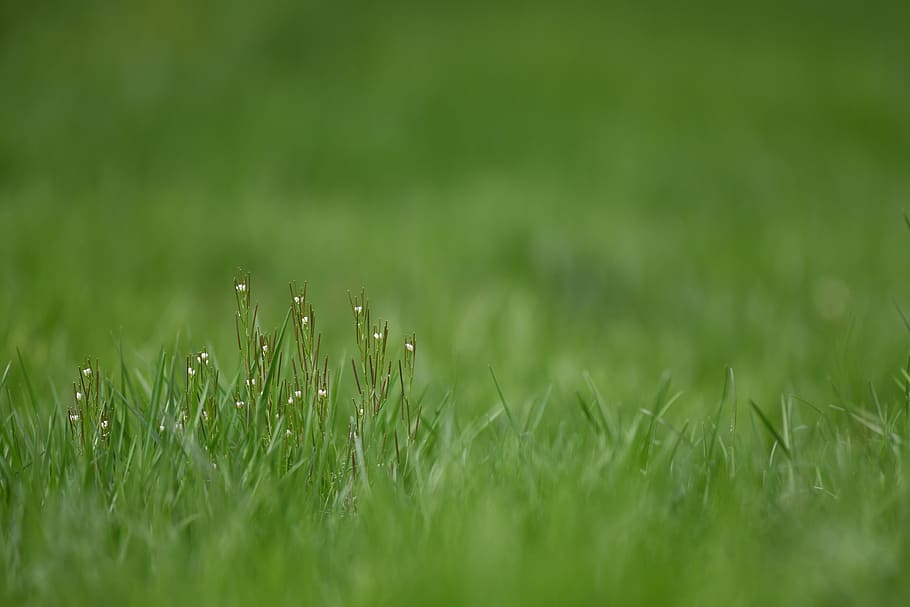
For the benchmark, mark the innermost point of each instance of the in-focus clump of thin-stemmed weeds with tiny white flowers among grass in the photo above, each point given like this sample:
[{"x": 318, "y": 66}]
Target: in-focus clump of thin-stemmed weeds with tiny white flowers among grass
[{"x": 281, "y": 410}]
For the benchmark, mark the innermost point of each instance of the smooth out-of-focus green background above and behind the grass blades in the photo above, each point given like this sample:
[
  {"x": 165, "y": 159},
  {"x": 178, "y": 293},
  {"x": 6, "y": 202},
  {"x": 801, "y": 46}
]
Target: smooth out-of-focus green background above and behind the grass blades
[{"x": 551, "y": 188}]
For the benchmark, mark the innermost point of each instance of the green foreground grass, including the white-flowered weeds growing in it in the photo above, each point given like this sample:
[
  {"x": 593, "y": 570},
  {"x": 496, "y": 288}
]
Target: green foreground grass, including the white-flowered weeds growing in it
[{"x": 283, "y": 479}]
